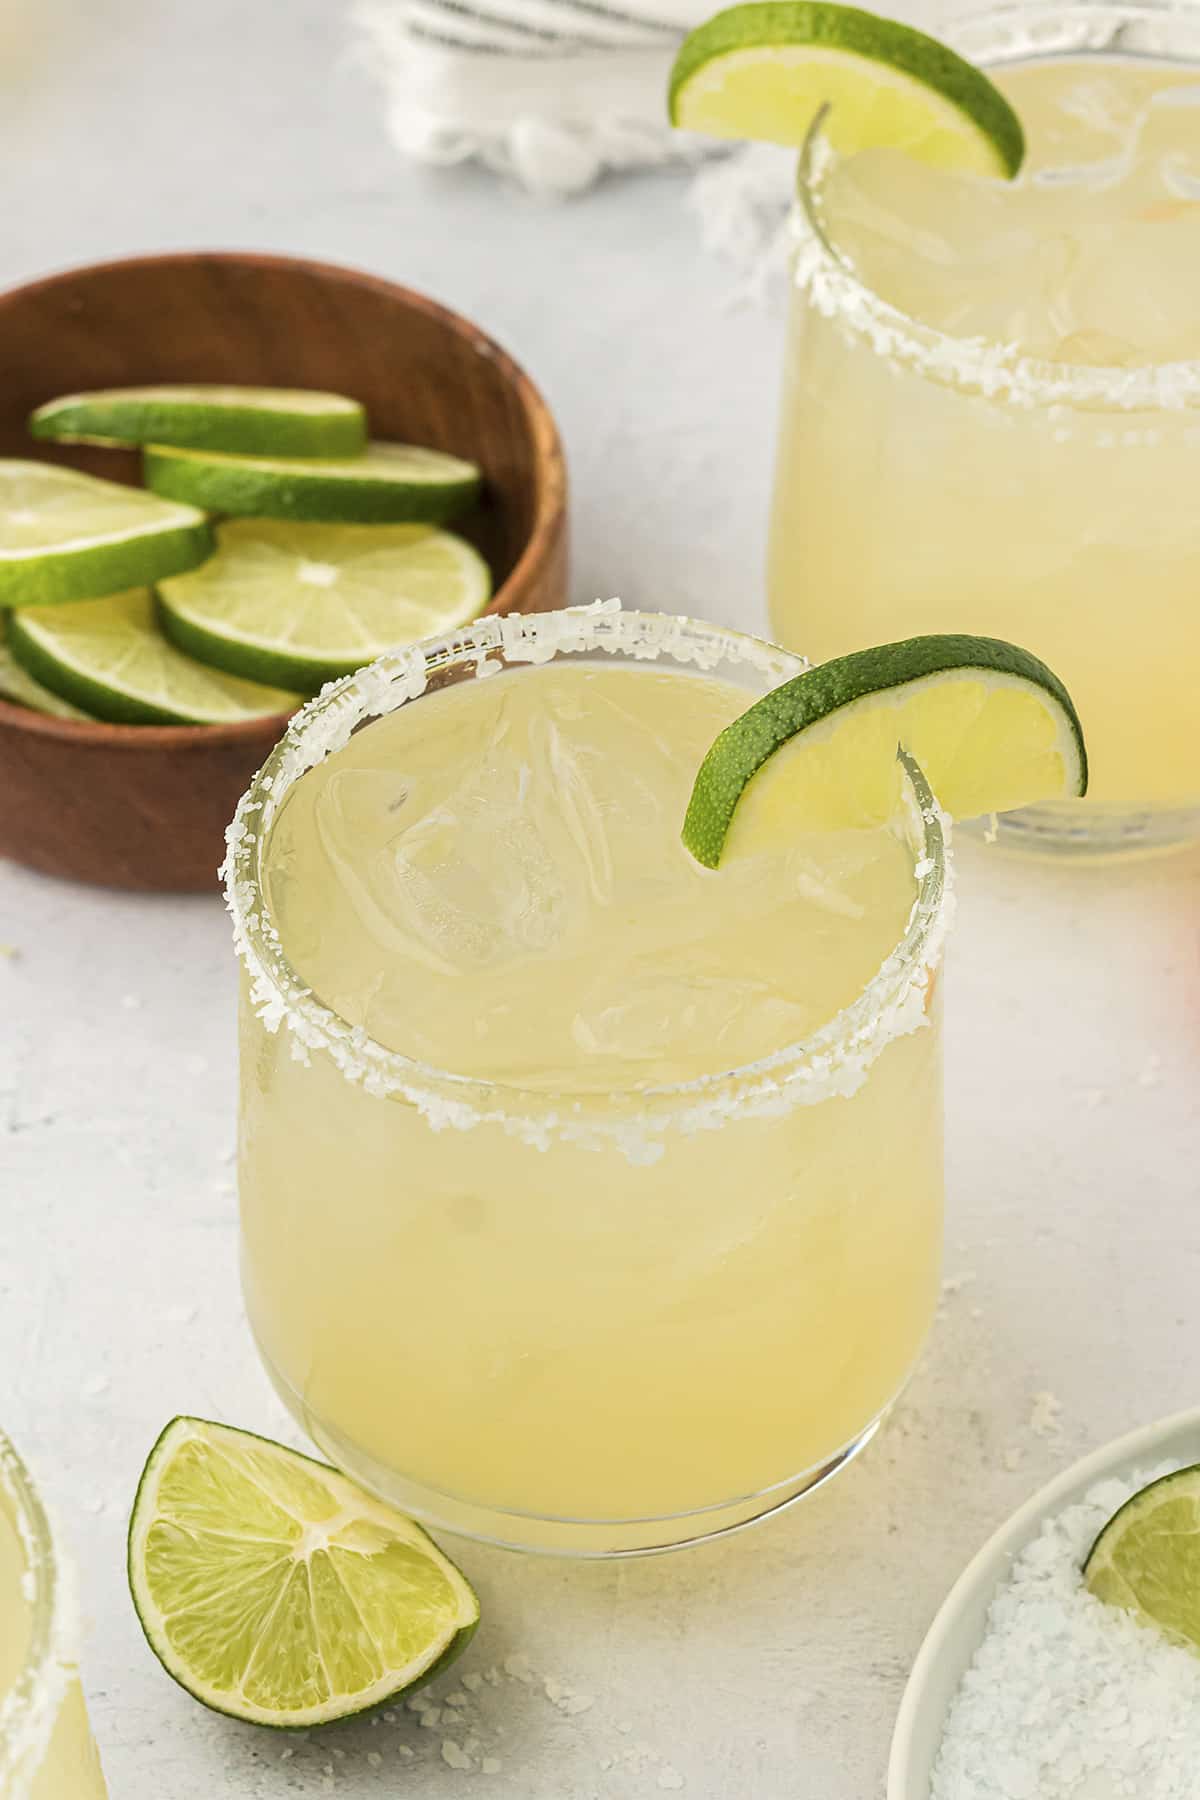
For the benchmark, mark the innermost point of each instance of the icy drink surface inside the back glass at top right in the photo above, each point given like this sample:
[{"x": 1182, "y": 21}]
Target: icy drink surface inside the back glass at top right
[{"x": 1091, "y": 256}]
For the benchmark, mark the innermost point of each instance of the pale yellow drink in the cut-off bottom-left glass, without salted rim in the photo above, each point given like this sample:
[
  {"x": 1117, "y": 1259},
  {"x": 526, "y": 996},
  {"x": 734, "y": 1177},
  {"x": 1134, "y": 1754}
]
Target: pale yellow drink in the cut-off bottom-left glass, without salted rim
[{"x": 69, "y": 1768}]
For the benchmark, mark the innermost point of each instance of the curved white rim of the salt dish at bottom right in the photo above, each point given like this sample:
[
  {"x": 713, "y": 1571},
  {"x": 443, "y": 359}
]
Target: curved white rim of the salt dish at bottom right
[{"x": 992, "y": 1561}]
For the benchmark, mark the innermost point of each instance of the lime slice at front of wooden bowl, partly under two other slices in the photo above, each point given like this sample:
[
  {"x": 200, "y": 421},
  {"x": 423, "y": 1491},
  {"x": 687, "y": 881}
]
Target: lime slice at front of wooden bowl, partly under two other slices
[{"x": 111, "y": 658}]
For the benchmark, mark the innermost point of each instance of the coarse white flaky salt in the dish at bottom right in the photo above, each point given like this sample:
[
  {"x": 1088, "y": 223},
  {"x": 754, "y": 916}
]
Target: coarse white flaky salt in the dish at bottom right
[{"x": 1070, "y": 1698}]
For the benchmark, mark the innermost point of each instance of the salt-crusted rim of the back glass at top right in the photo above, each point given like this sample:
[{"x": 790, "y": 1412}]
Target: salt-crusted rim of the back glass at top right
[{"x": 987, "y": 366}]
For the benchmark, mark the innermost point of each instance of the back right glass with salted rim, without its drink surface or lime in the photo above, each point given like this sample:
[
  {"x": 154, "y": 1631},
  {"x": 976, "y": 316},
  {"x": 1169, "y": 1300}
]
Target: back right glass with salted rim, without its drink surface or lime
[{"x": 936, "y": 483}]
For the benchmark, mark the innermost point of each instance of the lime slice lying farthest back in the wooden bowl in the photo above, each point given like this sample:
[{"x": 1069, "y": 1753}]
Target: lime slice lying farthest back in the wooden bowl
[{"x": 247, "y": 420}]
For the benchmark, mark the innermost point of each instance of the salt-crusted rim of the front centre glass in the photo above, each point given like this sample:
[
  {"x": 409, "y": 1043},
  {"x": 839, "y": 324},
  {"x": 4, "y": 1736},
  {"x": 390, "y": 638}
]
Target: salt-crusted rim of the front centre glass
[{"x": 832, "y": 1061}]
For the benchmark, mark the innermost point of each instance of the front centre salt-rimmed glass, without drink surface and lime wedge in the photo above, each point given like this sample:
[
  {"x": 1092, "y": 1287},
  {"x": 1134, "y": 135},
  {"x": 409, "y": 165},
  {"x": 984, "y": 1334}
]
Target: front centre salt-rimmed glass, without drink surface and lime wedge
[{"x": 830, "y": 1151}]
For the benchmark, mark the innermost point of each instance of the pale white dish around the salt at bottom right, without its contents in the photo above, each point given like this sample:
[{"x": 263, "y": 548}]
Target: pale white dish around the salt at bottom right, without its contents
[{"x": 960, "y": 1626}]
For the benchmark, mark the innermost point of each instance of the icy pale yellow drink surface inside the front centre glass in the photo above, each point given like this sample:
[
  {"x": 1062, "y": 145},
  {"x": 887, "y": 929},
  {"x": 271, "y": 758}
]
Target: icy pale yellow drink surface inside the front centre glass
[{"x": 492, "y": 881}]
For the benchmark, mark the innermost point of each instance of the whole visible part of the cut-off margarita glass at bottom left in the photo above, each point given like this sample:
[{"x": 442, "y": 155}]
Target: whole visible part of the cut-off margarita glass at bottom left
[{"x": 46, "y": 1745}]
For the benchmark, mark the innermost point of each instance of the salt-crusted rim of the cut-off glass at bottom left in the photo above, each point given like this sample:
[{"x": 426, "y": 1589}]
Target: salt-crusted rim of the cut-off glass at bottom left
[{"x": 30, "y": 1711}]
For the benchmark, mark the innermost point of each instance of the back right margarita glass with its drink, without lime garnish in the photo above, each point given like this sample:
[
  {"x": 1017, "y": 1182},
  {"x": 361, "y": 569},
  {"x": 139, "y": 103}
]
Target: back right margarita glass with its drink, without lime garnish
[{"x": 992, "y": 402}]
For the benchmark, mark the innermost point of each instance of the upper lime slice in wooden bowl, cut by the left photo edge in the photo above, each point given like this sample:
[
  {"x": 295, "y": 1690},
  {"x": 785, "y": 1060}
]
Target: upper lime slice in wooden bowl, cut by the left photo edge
[{"x": 69, "y": 537}]
